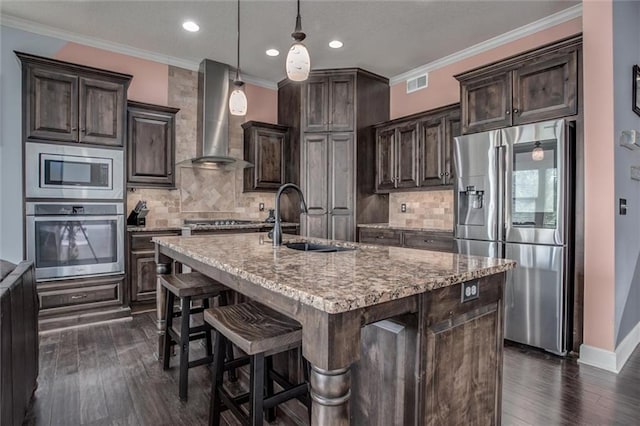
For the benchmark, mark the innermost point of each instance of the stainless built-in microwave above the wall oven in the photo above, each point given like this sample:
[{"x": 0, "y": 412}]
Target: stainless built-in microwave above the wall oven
[{"x": 64, "y": 171}]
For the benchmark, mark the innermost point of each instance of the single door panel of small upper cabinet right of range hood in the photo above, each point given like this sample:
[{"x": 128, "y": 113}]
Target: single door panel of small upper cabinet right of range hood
[{"x": 269, "y": 153}]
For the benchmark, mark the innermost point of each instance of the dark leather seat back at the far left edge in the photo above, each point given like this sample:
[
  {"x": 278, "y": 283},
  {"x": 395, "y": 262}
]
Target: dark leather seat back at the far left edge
[{"x": 19, "y": 343}]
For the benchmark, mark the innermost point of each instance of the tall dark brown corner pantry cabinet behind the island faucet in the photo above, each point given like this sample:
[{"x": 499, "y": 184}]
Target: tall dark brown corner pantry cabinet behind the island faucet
[{"x": 332, "y": 149}]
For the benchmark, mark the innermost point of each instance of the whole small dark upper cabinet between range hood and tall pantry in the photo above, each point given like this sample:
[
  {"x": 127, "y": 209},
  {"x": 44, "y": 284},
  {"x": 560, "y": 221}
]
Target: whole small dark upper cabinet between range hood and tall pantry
[{"x": 264, "y": 147}]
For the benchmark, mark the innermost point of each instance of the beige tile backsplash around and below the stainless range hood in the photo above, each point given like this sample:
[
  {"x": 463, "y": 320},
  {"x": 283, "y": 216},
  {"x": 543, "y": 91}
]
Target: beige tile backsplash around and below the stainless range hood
[{"x": 200, "y": 193}]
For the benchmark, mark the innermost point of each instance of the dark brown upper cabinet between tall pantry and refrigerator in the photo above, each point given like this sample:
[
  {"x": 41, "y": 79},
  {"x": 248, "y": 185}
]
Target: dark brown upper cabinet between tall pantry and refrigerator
[{"x": 415, "y": 152}]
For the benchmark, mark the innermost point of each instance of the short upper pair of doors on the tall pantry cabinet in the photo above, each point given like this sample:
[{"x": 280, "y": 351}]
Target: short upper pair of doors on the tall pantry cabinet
[{"x": 329, "y": 104}]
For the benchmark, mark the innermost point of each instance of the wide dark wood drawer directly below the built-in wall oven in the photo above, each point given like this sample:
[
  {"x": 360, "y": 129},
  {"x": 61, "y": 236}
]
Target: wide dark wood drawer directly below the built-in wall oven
[{"x": 56, "y": 298}]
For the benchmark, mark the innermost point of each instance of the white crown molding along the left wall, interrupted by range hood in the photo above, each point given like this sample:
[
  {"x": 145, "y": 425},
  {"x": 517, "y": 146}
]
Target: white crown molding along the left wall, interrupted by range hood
[{"x": 47, "y": 31}]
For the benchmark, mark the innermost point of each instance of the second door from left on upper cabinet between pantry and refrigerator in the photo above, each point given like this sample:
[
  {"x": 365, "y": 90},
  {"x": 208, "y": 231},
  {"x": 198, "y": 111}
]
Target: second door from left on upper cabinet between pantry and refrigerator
[{"x": 407, "y": 156}]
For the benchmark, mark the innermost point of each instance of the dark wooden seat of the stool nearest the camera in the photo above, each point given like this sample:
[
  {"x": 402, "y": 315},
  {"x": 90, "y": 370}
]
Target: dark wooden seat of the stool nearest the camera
[{"x": 254, "y": 328}]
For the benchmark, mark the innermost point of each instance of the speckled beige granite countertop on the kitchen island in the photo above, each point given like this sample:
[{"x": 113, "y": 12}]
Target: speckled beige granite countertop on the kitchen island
[{"x": 334, "y": 282}]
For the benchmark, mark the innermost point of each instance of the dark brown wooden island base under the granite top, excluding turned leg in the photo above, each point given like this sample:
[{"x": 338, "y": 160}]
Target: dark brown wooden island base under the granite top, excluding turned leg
[{"x": 440, "y": 366}]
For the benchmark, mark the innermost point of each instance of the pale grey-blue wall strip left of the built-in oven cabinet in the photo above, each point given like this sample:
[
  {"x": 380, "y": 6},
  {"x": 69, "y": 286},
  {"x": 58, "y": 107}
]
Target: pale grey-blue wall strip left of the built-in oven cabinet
[{"x": 11, "y": 217}]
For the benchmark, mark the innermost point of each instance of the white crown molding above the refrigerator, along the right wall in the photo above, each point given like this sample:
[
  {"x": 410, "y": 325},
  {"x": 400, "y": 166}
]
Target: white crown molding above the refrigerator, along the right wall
[{"x": 539, "y": 25}]
